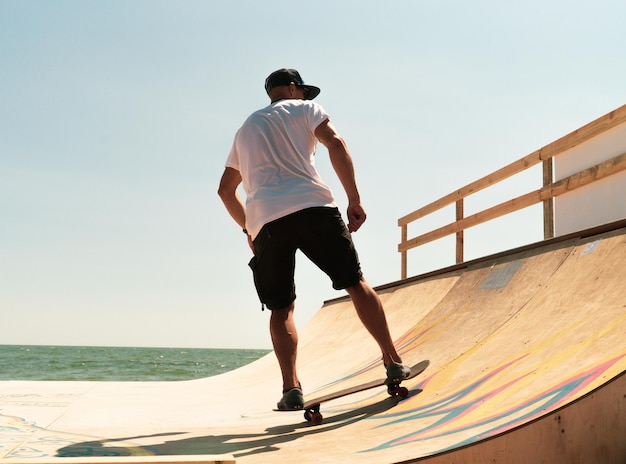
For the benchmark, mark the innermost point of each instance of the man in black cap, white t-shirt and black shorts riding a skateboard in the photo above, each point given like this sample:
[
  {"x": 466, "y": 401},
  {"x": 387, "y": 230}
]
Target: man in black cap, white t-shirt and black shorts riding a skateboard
[{"x": 288, "y": 207}]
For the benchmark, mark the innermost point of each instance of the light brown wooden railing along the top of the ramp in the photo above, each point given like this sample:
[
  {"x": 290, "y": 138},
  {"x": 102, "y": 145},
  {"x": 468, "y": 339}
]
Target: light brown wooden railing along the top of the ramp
[{"x": 546, "y": 194}]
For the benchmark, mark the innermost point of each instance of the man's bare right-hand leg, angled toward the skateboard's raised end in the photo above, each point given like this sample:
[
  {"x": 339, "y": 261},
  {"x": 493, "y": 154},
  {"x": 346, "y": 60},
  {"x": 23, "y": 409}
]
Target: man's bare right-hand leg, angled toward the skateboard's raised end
[{"x": 370, "y": 310}]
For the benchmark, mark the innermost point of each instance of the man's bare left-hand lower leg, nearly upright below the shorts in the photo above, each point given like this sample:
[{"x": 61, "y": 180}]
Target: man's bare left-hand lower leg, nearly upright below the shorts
[{"x": 285, "y": 341}]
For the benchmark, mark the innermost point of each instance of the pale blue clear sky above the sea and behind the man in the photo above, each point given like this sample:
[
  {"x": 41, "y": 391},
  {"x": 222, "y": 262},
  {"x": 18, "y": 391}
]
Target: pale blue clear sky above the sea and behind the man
[{"x": 116, "y": 118}]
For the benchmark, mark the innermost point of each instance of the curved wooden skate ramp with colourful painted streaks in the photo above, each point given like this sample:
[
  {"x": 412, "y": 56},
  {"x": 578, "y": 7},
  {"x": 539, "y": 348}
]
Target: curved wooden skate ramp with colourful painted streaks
[{"x": 527, "y": 356}]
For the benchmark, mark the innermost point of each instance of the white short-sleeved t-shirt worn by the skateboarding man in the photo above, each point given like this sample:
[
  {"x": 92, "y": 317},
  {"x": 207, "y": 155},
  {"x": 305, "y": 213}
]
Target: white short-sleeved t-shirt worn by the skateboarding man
[{"x": 274, "y": 151}]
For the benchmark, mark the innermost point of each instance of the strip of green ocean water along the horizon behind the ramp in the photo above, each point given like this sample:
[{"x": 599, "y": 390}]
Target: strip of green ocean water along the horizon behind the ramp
[{"x": 34, "y": 362}]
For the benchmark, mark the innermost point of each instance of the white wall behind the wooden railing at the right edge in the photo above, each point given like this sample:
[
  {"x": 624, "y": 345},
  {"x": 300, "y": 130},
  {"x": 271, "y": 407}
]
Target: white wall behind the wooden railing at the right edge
[{"x": 601, "y": 202}]
